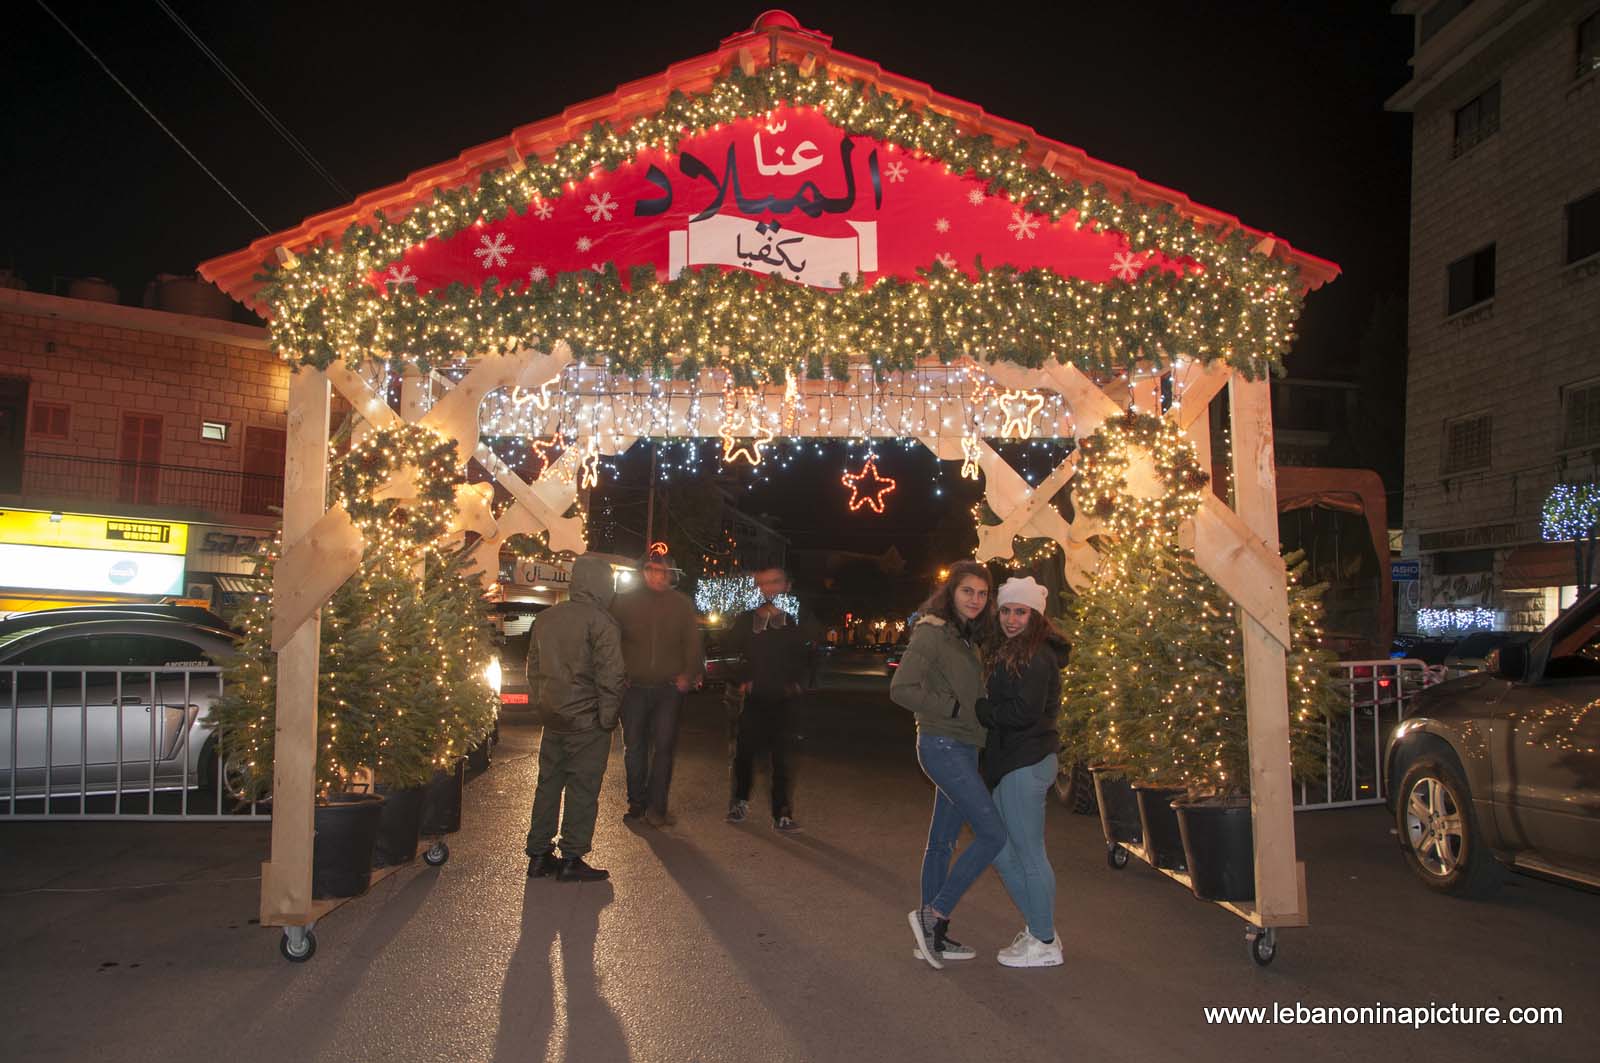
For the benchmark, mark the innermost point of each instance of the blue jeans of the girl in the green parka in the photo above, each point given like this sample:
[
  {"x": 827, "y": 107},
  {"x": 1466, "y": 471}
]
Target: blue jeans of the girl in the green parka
[{"x": 959, "y": 798}]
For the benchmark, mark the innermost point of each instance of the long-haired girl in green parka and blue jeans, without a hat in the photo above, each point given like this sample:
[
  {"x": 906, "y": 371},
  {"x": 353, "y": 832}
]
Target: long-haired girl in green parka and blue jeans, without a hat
[{"x": 942, "y": 681}]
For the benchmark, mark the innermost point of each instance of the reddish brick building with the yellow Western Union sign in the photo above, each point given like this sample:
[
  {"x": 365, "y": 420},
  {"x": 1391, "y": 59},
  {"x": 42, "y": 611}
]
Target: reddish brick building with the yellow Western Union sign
[{"x": 142, "y": 452}]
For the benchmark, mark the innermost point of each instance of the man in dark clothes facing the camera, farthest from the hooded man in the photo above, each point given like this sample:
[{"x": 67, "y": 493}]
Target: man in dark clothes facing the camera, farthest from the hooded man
[{"x": 772, "y": 648}]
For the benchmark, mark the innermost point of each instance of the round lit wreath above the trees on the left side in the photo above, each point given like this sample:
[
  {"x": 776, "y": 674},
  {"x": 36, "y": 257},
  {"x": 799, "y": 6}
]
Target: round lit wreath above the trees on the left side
[{"x": 377, "y": 460}]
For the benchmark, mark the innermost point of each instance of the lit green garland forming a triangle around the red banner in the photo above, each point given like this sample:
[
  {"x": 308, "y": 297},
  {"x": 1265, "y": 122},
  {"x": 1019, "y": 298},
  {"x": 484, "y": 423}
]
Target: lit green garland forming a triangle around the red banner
[{"x": 1242, "y": 308}]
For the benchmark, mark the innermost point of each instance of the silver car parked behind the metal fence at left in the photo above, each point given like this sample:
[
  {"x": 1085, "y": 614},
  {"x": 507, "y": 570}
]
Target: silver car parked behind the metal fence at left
[{"x": 130, "y": 684}]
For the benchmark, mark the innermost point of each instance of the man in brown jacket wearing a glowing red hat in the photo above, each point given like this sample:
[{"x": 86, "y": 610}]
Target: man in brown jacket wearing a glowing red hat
[{"x": 662, "y": 648}]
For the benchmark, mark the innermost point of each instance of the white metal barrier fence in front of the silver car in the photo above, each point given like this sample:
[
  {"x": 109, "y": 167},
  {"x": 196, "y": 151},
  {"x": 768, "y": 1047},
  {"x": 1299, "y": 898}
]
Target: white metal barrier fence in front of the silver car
[{"x": 114, "y": 744}]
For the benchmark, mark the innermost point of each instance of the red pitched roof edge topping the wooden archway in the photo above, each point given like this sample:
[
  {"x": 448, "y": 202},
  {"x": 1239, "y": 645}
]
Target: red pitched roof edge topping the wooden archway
[{"x": 775, "y": 38}]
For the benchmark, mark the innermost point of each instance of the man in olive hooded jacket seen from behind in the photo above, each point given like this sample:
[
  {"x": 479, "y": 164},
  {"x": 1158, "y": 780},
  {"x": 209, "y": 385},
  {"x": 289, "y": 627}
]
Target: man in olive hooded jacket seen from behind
[{"x": 575, "y": 672}]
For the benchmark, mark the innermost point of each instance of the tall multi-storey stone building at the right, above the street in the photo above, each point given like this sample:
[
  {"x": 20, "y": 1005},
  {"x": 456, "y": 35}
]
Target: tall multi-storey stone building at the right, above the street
[{"x": 1505, "y": 302}]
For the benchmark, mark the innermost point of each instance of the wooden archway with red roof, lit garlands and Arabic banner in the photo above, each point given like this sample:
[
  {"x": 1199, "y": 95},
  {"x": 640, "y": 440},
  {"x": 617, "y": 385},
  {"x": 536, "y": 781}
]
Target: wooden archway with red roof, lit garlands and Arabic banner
[{"x": 1087, "y": 343}]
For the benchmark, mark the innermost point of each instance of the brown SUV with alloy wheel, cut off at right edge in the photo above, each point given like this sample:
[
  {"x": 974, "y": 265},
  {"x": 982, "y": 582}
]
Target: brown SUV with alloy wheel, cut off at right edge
[{"x": 1502, "y": 769}]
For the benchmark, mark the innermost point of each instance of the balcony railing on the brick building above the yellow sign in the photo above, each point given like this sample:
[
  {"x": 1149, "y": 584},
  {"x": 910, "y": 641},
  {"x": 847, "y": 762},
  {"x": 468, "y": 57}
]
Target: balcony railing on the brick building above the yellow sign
[{"x": 146, "y": 484}]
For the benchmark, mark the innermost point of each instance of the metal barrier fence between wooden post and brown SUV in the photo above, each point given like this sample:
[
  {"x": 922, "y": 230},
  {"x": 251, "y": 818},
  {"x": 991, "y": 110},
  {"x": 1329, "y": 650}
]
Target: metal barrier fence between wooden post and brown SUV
[{"x": 1378, "y": 696}]
